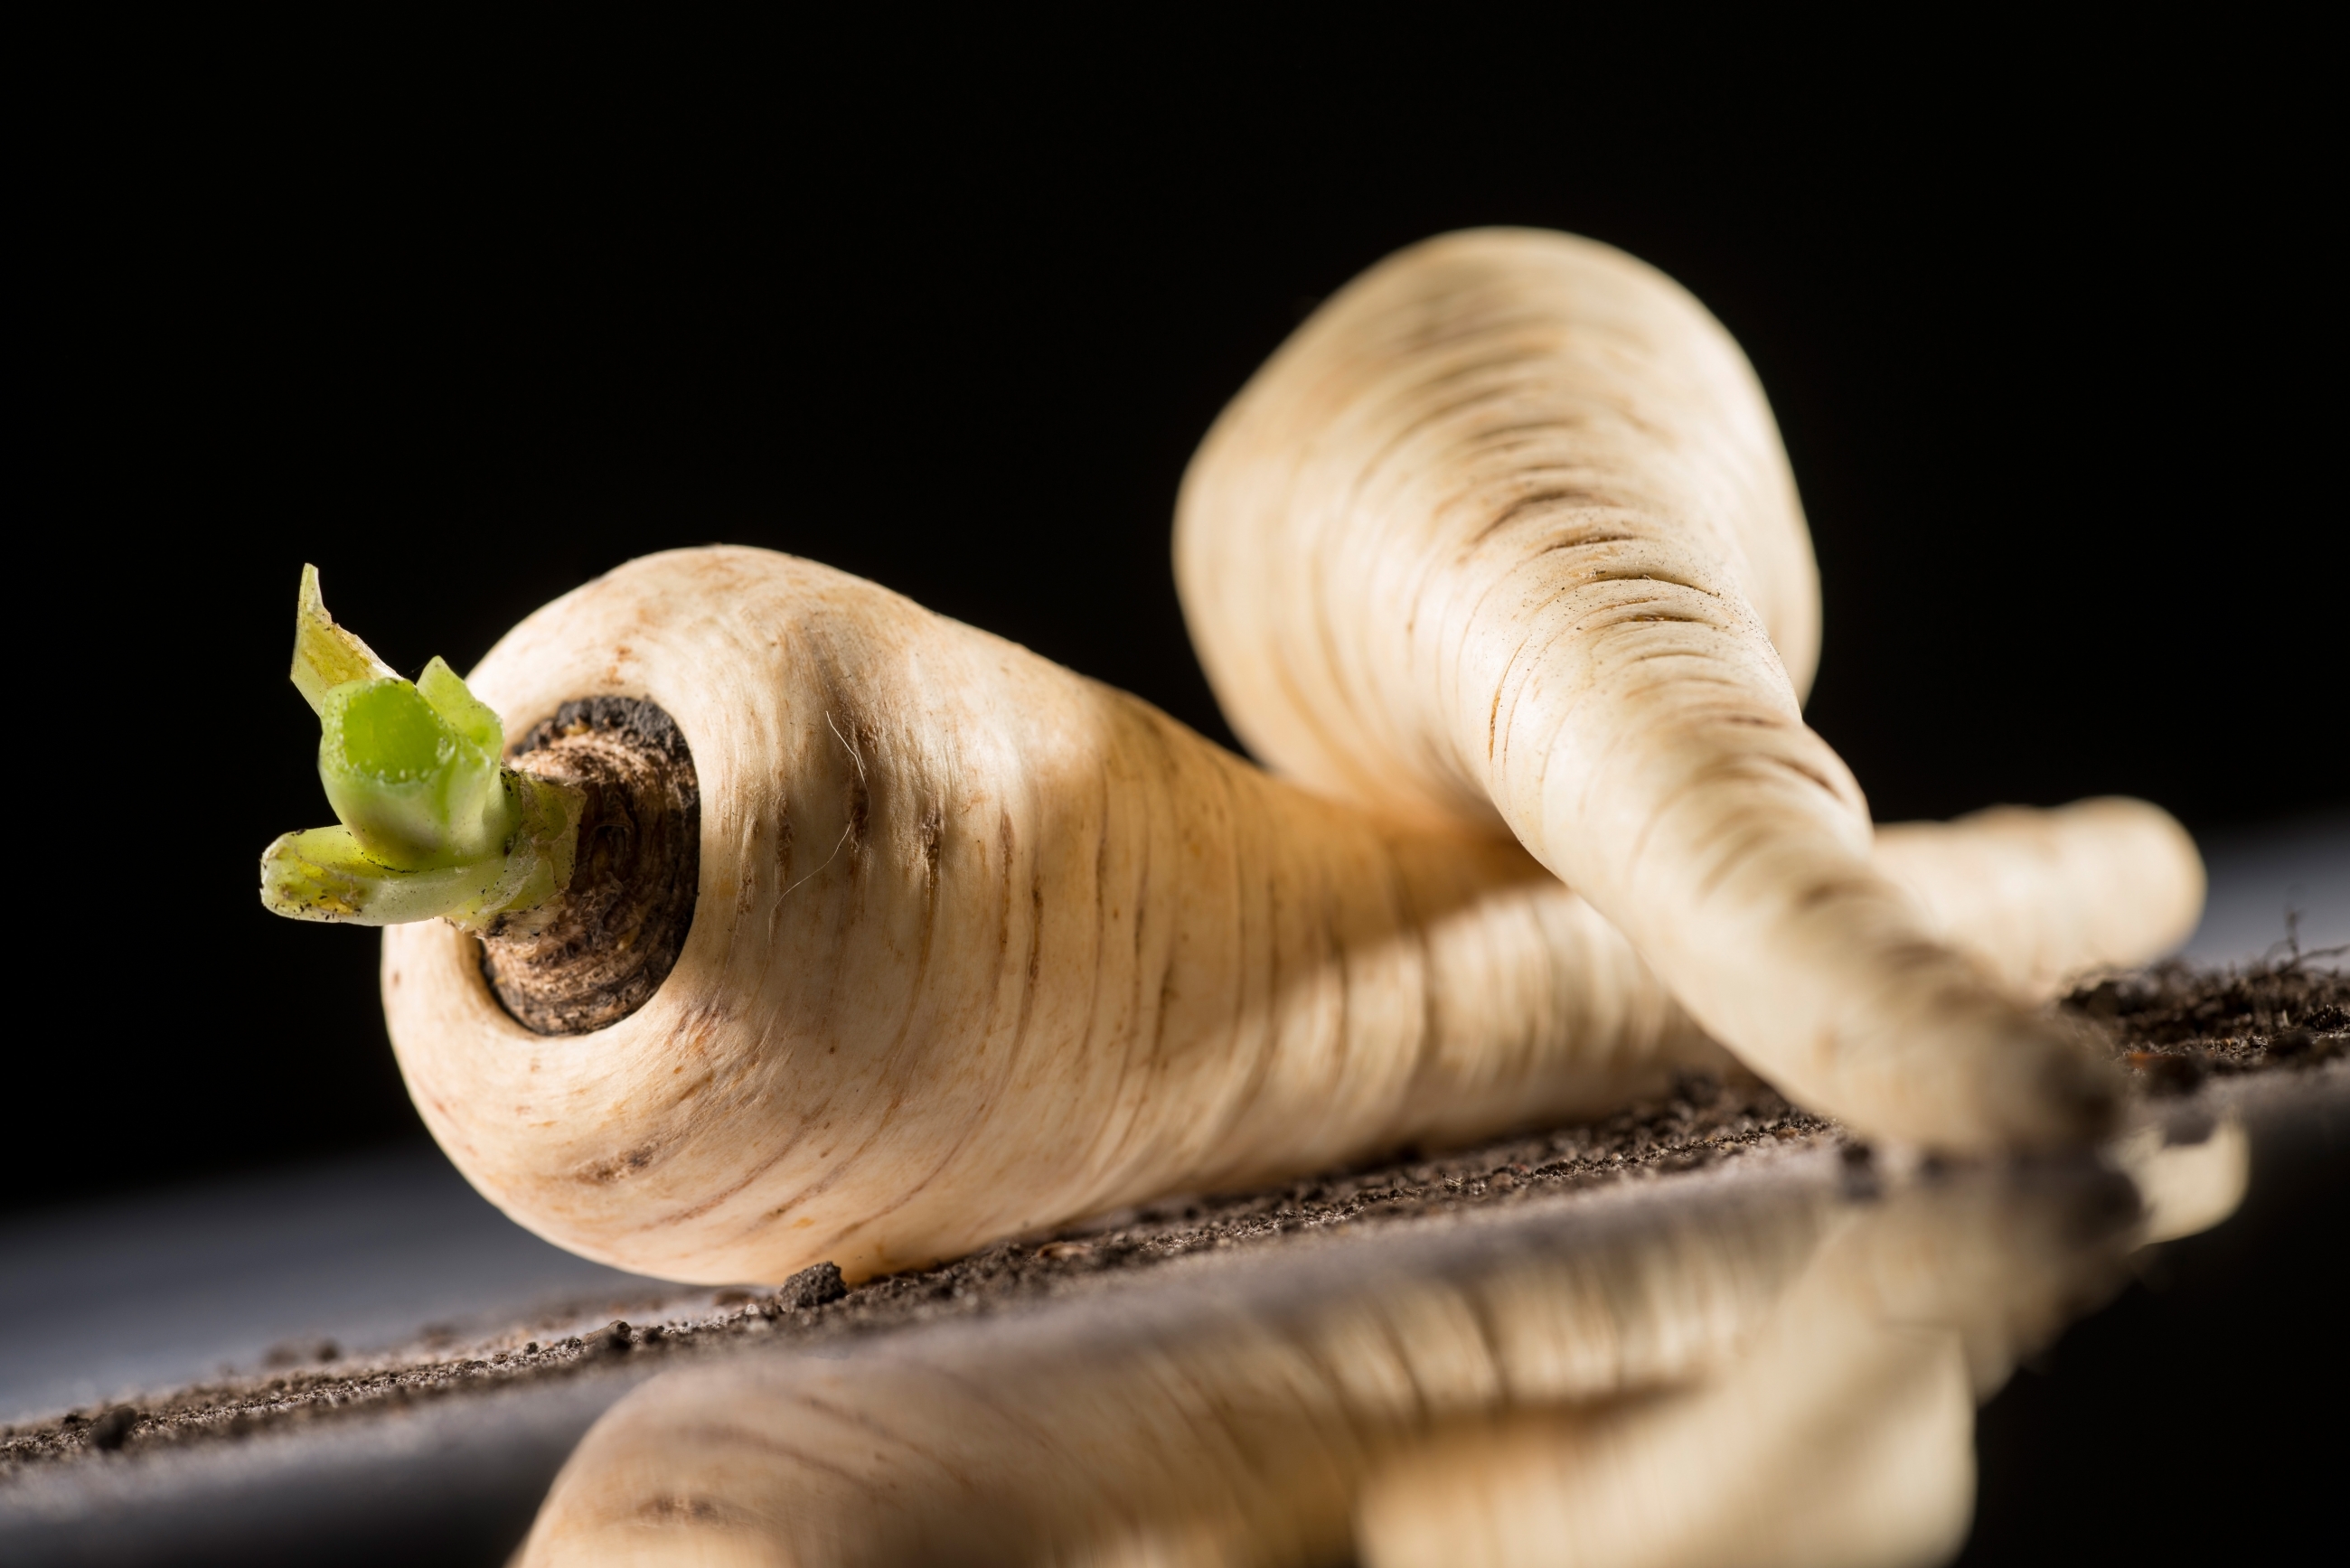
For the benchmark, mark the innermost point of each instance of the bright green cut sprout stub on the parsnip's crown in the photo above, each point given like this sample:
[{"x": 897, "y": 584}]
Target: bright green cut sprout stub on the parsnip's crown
[{"x": 431, "y": 822}]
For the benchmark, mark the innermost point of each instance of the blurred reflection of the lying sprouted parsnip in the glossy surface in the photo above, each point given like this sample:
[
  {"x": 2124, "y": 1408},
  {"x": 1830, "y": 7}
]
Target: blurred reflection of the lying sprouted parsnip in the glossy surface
[{"x": 1200, "y": 1426}]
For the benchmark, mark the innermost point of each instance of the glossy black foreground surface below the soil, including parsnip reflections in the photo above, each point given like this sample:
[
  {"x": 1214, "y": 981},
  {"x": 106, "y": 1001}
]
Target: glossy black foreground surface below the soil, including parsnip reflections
[{"x": 1761, "y": 1365}]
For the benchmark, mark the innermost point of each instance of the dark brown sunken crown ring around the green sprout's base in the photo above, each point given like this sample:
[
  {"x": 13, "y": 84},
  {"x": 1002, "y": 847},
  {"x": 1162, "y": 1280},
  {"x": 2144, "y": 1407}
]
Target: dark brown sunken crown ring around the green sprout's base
[{"x": 603, "y": 951}]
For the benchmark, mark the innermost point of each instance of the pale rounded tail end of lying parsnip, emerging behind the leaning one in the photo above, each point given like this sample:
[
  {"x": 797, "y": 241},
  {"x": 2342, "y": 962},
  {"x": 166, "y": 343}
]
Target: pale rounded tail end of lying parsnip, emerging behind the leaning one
[{"x": 2048, "y": 897}]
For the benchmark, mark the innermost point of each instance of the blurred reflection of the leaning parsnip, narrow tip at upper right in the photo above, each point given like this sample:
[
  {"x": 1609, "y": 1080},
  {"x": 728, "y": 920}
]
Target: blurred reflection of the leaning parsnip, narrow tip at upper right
[{"x": 1841, "y": 1440}]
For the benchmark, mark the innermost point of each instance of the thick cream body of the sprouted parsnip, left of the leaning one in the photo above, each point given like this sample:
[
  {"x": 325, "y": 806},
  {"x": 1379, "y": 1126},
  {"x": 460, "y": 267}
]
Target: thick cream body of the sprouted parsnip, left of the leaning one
[{"x": 983, "y": 946}]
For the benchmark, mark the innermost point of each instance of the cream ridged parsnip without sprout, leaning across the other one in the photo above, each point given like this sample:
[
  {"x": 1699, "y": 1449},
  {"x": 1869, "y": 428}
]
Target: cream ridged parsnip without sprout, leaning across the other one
[{"x": 1508, "y": 530}]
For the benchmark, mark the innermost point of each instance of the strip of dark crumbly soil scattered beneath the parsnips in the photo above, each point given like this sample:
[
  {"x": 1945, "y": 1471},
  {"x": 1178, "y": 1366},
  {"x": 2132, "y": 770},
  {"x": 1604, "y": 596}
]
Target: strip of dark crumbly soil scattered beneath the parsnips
[{"x": 2173, "y": 1028}]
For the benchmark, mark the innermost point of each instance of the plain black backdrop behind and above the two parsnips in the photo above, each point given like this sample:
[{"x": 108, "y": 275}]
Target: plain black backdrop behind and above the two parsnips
[{"x": 469, "y": 321}]
